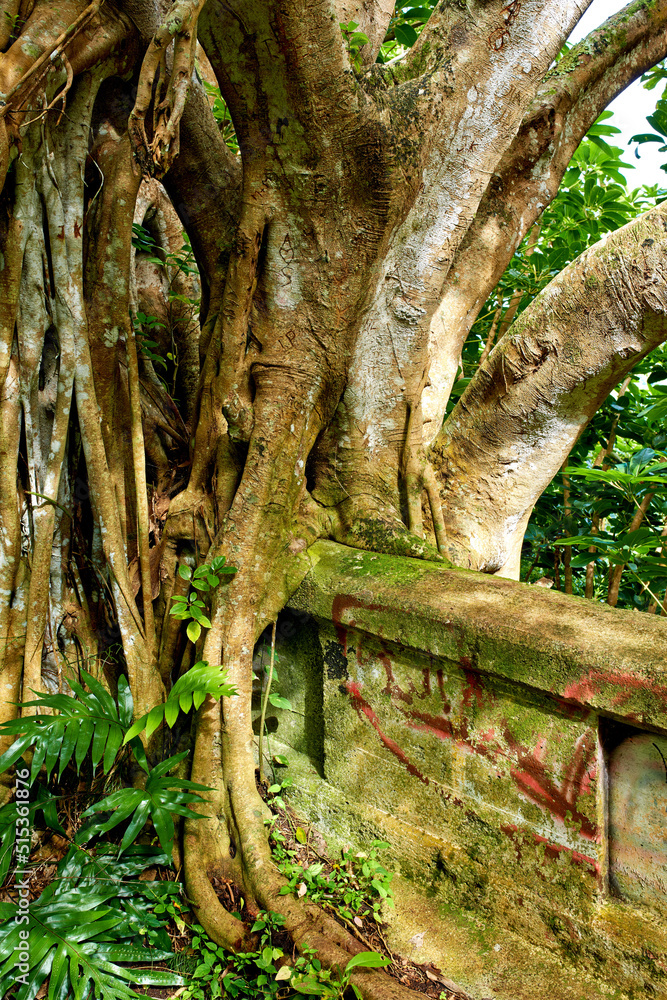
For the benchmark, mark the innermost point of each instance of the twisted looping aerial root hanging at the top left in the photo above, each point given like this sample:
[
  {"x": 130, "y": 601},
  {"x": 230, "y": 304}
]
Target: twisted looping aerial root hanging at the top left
[{"x": 155, "y": 156}]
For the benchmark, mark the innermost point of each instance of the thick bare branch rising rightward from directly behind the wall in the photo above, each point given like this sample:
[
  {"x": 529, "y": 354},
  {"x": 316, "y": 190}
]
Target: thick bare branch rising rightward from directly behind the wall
[{"x": 525, "y": 408}]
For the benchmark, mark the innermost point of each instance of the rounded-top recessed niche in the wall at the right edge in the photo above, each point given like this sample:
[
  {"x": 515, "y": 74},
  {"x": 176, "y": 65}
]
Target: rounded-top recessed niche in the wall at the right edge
[{"x": 637, "y": 812}]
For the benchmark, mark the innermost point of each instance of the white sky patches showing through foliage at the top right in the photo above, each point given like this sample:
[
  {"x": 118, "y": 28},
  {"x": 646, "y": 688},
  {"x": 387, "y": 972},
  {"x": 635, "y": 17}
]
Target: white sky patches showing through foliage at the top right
[{"x": 630, "y": 108}]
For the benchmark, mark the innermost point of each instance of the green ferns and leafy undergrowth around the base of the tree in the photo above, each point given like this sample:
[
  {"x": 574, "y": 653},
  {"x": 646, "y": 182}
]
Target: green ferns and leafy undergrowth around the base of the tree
[{"x": 89, "y": 904}]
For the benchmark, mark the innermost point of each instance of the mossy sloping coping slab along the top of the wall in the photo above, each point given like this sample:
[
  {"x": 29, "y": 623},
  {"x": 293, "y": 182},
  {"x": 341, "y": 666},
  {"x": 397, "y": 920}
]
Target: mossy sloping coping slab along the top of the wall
[{"x": 579, "y": 651}]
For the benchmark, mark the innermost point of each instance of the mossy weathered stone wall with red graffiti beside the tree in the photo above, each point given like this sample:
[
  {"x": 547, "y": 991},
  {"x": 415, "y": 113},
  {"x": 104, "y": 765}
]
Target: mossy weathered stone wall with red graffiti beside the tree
[{"x": 511, "y": 746}]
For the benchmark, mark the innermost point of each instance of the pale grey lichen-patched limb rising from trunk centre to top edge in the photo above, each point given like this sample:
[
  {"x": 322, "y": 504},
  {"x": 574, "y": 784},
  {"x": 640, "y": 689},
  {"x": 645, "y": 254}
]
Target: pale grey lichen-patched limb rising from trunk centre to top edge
[{"x": 465, "y": 123}]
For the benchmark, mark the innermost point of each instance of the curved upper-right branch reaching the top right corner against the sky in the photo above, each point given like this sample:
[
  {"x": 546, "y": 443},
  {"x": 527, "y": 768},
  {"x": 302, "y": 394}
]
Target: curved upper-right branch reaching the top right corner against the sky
[{"x": 570, "y": 99}]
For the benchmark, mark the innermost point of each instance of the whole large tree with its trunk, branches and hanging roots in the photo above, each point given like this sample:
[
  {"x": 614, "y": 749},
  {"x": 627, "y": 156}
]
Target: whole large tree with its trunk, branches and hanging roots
[{"x": 342, "y": 258}]
